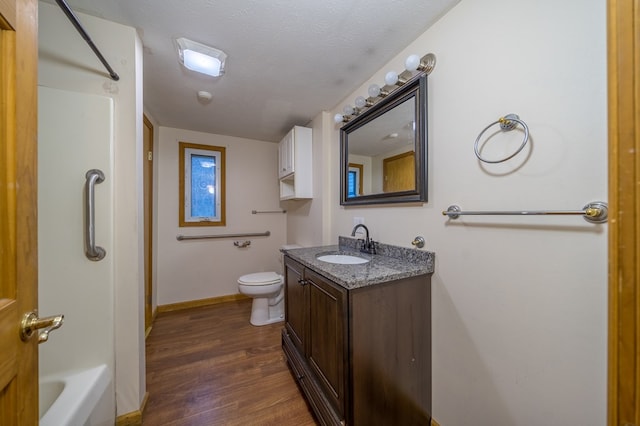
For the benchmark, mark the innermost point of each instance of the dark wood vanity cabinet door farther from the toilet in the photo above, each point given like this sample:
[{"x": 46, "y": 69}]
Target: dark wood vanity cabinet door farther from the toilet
[{"x": 327, "y": 348}]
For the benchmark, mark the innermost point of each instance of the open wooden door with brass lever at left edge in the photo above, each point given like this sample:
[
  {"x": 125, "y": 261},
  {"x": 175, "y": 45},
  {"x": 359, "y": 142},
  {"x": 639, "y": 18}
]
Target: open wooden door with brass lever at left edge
[{"x": 18, "y": 210}]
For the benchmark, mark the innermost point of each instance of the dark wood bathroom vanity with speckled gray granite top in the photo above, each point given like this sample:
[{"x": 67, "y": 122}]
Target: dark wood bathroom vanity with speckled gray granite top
[{"x": 358, "y": 336}]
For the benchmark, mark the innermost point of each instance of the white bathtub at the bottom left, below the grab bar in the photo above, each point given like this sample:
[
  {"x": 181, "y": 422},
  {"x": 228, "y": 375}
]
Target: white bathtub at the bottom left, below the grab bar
[{"x": 77, "y": 398}]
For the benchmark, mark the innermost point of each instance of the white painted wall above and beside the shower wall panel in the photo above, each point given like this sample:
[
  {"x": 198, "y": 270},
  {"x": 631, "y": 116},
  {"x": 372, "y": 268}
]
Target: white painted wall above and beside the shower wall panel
[{"x": 66, "y": 62}]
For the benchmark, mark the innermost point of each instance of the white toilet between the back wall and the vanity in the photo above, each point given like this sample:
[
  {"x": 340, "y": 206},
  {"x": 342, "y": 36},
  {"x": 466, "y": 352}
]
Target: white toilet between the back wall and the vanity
[{"x": 267, "y": 291}]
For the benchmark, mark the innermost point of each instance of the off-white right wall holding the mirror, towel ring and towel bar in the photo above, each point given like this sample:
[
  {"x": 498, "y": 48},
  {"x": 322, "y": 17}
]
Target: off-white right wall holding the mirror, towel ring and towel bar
[{"x": 519, "y": 303}]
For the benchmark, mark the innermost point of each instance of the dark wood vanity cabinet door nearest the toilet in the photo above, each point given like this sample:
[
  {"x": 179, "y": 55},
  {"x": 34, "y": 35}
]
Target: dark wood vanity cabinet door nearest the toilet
[{"x": 296, "y": 312}]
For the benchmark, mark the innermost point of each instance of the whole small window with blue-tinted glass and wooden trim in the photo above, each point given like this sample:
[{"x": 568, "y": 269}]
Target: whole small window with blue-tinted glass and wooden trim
[{"x": 202, "y": 201}]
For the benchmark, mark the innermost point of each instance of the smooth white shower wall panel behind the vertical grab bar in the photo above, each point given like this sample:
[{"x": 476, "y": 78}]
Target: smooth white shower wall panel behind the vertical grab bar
[{"x": 75, "y": 135}]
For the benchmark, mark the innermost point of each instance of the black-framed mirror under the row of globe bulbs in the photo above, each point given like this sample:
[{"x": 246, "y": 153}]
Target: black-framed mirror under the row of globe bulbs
[{"x": 384, "y": 149}]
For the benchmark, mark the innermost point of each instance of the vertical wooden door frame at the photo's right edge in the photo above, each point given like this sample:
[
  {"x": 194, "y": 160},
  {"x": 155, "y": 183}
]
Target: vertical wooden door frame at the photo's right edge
[{"x": 623, "y": 53}]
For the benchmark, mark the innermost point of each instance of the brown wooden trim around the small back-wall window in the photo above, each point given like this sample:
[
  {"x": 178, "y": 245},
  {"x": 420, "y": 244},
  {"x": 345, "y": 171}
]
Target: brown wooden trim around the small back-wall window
[{"x": 184, "y": 185}]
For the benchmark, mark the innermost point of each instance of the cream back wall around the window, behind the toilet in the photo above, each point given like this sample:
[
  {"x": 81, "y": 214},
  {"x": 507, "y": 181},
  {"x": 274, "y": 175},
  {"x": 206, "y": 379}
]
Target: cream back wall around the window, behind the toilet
[{"x": 200, "y": 269}]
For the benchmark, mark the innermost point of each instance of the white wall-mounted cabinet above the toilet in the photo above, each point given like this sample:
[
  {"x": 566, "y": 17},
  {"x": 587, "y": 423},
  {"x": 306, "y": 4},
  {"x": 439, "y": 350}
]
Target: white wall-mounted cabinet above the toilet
[{"x": 295, "y": 164}]
